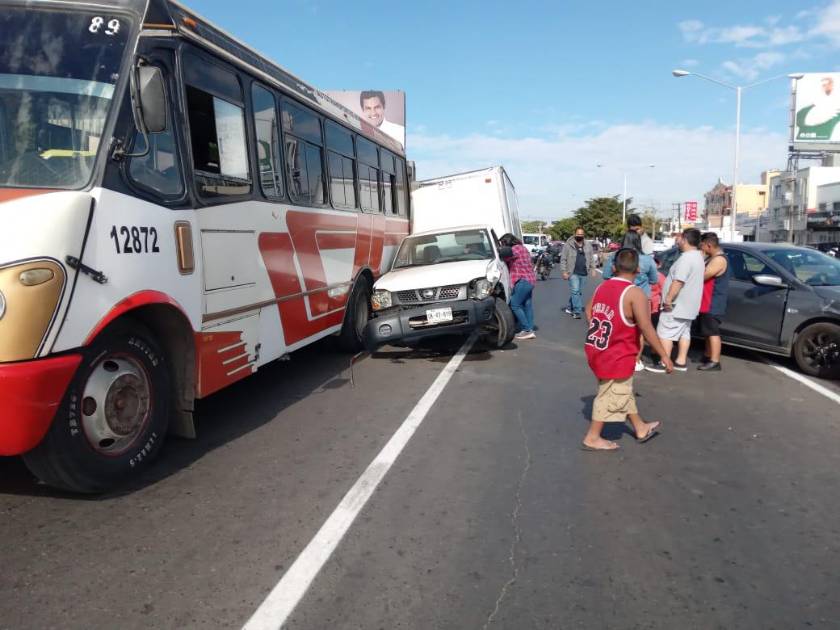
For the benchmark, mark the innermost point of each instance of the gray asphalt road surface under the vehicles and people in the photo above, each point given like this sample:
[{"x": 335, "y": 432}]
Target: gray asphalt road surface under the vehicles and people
[{"x": 492, "y": 517}]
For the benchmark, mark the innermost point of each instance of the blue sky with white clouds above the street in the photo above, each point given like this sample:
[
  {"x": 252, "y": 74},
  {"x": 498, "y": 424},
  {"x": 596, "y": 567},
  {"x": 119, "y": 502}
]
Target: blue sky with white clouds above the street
[{"x": 551, "y": 89}]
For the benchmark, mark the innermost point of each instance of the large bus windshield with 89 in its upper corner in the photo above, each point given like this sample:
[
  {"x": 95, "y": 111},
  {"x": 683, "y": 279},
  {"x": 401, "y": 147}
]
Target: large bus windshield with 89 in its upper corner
[{"x": 58, "y": 70}]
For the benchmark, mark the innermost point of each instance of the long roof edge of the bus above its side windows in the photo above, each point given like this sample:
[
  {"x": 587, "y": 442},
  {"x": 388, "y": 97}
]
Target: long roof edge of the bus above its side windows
[{"x": 172, "y": 15}]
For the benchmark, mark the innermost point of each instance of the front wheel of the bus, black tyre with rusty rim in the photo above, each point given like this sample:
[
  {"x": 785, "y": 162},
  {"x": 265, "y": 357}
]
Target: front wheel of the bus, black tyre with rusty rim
[{"x": 113, "y": 419}]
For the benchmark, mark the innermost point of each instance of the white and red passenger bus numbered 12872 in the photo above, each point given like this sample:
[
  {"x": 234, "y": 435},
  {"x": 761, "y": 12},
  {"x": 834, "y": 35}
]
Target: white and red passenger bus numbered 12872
[{"x": 176, "y": 211}]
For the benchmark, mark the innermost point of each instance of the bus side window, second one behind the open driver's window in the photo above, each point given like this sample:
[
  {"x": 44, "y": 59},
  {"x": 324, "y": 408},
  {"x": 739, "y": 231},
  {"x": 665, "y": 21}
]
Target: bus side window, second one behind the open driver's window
[{"x": 304, "y": 155}]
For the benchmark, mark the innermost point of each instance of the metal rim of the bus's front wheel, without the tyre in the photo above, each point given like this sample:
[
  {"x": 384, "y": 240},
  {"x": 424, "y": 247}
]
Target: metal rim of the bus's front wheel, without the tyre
[{"x": 116, "y": 404}]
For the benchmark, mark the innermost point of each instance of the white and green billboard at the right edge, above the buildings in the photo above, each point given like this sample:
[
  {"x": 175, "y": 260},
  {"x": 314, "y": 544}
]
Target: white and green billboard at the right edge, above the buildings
[{"x": 816, "y": 124}]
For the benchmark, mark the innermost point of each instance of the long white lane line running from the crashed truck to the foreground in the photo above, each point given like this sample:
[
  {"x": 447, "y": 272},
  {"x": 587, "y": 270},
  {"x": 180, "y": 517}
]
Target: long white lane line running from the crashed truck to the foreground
[{"x": 291, "y": 588}]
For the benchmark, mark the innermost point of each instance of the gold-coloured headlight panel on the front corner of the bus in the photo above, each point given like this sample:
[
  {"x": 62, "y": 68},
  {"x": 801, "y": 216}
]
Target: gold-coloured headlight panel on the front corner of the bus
[{"x": 29, "y": 296}]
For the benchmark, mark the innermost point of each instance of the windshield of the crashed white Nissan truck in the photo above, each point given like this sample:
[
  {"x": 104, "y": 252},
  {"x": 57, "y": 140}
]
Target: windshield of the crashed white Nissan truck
[{"x": 445, "y": 247}]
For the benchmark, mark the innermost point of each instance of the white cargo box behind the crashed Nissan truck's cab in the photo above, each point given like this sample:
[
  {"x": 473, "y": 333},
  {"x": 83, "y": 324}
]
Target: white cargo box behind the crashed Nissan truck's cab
[{"x": 484, "y": 197}]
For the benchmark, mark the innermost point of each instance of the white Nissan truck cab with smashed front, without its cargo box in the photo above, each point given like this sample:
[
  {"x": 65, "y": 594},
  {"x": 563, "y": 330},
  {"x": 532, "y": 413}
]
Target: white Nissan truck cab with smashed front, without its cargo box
[{"x": 443, "y": 282}]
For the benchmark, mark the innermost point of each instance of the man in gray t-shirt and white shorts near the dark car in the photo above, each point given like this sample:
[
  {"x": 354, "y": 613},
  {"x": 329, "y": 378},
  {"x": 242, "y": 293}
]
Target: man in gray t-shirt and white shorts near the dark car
[{"x": 681, "y": 298}]
